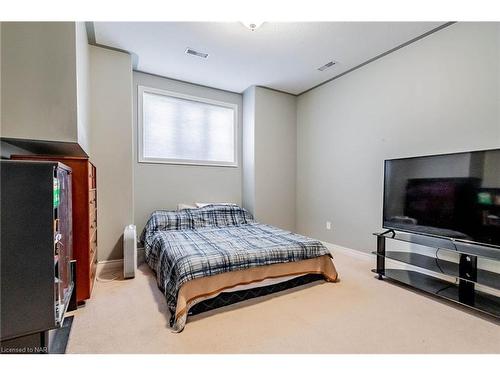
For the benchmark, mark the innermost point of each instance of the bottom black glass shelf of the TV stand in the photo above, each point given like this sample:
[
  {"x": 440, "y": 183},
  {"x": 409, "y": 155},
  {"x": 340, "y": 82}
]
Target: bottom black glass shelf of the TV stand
[{"x": 484, "y": 302}]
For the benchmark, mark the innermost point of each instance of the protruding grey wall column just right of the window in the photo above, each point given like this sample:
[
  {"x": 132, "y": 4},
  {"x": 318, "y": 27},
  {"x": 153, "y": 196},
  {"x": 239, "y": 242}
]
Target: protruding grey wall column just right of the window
[{"x": 269, "y": 157}]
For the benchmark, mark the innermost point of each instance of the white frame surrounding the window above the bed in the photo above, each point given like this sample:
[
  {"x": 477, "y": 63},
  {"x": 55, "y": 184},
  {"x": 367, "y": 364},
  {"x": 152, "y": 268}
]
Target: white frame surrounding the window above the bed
[{"x": 140, "y": 121}]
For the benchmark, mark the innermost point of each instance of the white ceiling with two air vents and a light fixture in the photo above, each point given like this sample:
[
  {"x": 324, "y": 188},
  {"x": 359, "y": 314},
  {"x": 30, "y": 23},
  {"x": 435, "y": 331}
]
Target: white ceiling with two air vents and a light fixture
[{"x": 281, "y": 56}]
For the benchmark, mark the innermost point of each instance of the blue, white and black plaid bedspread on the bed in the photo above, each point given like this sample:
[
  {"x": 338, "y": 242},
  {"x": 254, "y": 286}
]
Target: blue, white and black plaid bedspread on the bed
[{"x": 179, "y": 252}]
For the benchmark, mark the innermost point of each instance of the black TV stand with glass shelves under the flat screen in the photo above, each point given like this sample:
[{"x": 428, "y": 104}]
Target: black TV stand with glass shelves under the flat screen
[{"x": 473, "y": 287}]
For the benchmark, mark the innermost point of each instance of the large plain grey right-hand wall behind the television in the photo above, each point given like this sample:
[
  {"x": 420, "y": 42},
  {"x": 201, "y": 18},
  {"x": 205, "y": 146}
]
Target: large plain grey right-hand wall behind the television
[{"x": 437, "y": 95}]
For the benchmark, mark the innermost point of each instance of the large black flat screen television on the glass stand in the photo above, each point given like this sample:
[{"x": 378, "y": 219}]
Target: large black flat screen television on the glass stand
[{"x": 455, "y": 196}]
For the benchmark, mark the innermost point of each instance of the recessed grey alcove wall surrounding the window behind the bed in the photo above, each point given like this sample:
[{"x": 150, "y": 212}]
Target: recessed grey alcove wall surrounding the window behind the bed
[{"x": 159, "y": 186}]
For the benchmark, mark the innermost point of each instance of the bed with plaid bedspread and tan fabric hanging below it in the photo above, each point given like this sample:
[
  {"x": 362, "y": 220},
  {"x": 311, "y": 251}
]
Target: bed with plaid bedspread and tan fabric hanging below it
[{"x": 200, "y": 253}]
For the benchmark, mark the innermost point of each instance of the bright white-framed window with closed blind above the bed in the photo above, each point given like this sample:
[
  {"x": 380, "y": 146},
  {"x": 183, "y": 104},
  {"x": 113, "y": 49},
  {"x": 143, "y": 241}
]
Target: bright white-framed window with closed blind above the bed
[{"x": 181, "y": 129}]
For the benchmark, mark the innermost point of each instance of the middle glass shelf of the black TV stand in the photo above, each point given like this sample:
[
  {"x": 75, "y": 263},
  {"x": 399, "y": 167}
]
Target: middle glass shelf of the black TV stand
[{"x": 444, "y": 267}]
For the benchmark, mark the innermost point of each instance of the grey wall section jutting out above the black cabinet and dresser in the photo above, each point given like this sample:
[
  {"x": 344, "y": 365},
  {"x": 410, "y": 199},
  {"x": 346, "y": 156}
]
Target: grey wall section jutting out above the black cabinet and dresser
[{"x": 45, "y": 82}]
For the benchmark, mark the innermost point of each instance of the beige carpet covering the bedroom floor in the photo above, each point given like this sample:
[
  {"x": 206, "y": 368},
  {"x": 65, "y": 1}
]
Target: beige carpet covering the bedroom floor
[{"x": 359, "y": 314}]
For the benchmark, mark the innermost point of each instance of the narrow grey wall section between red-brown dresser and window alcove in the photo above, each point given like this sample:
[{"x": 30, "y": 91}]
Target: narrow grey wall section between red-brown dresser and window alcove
[{"x": 111, "y": 146}]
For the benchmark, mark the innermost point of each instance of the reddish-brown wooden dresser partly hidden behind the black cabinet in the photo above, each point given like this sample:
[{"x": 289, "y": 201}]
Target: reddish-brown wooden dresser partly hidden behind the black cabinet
[{"x": 84, "y": 192}]
